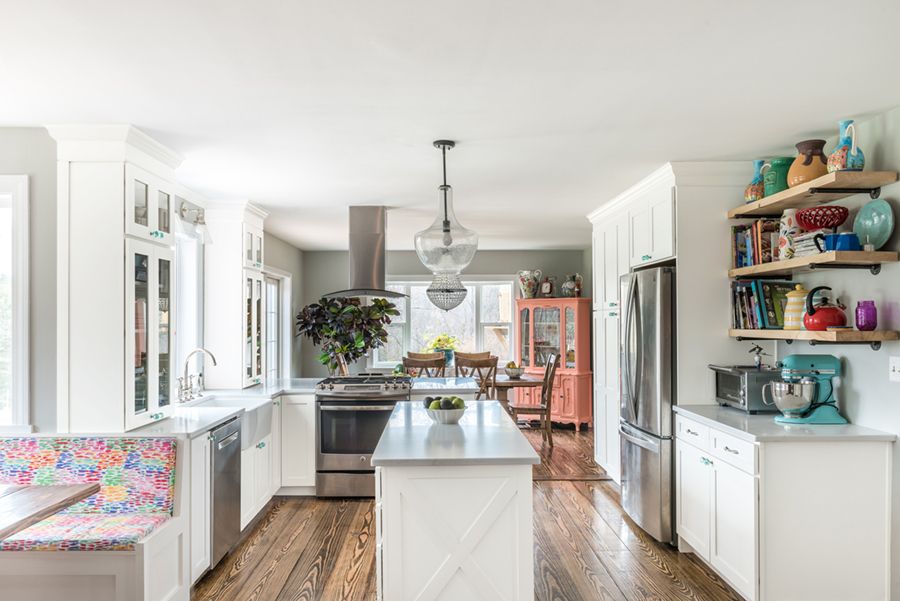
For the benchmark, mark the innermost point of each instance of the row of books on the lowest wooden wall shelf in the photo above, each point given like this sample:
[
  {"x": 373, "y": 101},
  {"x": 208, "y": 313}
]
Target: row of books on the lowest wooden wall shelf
[{"x": 758, "y": 304}]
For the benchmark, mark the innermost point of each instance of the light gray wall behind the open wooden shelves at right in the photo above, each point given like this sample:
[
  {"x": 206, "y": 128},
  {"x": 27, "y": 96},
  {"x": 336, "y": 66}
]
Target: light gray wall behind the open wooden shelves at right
[{"x": 867, "y": 397}]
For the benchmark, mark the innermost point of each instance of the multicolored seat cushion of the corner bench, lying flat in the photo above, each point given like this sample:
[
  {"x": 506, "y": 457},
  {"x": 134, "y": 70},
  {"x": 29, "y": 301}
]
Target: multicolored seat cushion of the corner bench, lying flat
[{"x": 85, "y": 532}]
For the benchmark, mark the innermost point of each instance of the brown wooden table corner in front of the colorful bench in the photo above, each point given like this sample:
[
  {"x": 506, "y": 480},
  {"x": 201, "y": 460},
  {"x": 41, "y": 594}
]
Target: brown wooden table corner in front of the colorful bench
[{"x": 24, "y": 506}]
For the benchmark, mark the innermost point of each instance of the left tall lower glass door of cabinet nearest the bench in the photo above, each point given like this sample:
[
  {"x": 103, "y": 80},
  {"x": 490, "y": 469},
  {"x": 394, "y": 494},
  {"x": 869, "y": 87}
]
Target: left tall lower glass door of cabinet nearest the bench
[{"x": 140, "y": 326}]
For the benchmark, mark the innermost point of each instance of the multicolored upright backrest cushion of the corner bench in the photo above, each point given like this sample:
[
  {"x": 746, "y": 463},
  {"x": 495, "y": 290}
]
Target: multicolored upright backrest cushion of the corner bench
[{"x": 136, "y": 475}]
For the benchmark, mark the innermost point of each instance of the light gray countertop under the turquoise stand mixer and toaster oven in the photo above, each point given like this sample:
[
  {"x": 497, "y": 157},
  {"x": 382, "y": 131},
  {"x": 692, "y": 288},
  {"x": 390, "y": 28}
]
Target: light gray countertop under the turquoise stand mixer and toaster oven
[{"x": 764, "y": 428}]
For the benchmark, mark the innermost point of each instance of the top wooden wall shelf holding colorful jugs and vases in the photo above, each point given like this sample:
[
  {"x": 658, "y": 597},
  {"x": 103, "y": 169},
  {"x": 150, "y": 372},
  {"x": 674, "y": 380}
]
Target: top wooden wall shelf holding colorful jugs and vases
[{"x": 815, "y": 192}]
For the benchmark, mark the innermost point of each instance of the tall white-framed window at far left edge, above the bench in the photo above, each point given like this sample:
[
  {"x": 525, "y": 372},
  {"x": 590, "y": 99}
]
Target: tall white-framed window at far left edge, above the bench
[{"x": 14, "y": 412}]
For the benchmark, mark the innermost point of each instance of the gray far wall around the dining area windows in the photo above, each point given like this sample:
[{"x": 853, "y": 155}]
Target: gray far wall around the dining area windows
[{"x": 326, "y": 271}]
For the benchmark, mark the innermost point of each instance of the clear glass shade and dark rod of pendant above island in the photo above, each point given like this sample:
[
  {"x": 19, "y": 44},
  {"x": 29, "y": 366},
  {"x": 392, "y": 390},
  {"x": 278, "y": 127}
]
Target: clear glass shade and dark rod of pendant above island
[{"x": 446, "y": 247}]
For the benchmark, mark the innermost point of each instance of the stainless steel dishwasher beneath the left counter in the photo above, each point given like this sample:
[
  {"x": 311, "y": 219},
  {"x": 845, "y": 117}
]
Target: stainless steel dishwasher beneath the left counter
[{"x": 225, "y": 514}]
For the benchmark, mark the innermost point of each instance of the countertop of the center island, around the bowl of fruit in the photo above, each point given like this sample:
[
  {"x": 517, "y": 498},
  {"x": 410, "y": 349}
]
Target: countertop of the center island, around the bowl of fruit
[{"x": 486, "y": 435}]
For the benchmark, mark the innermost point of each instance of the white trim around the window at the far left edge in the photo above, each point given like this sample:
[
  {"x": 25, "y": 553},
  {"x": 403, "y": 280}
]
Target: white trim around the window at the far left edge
[{"x": 16, "y": 187}]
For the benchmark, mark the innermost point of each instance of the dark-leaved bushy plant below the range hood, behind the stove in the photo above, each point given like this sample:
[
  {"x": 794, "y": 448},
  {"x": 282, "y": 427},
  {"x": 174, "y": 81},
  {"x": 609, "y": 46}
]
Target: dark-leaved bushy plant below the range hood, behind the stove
[{"x": 345, "y": 329}]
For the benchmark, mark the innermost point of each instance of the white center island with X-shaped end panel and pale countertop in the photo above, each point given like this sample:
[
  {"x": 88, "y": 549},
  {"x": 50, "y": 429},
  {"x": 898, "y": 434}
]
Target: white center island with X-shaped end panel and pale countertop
[{"x": 453, "y": 507}]
